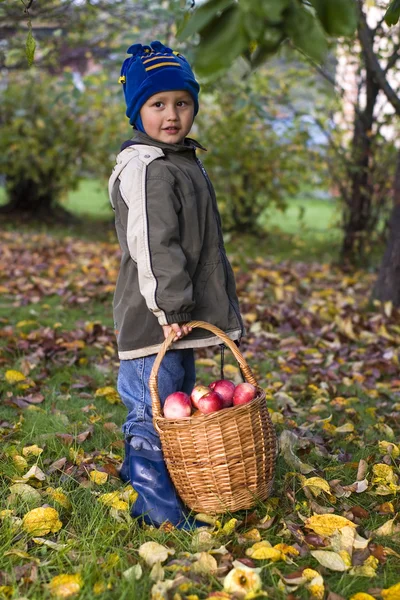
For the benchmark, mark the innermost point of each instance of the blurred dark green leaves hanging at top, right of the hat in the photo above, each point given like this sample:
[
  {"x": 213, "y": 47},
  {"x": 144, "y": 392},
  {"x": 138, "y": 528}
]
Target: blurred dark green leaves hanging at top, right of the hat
[{"x": 256, "y": 29}]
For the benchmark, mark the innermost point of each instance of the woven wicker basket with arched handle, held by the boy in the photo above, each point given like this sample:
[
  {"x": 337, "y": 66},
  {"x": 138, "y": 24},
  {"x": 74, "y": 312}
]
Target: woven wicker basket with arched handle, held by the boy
[{"x": 224, "y": 461}]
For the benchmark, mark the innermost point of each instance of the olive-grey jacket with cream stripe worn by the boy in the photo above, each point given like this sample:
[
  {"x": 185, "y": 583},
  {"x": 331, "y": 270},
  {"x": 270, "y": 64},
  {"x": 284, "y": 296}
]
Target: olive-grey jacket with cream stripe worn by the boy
[{"x": 173, "y": 266}]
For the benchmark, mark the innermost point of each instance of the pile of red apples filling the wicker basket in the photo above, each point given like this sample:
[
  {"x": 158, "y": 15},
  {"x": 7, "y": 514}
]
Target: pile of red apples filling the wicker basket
[{"x": 205, "y": 400}]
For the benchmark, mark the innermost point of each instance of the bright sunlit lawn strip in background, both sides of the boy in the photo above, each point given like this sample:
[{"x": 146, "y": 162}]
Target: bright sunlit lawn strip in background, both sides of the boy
[{"x": 305, "y": 231}]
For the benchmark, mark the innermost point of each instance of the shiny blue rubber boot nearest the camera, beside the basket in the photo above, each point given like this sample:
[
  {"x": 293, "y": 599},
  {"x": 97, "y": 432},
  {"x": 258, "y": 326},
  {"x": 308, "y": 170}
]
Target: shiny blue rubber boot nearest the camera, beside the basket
[{"x": 157, "y": 500}]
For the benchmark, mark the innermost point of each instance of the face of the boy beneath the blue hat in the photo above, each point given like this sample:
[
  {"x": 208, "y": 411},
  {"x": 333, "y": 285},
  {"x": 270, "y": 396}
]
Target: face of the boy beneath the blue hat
[{"x": 168, "y": 116}]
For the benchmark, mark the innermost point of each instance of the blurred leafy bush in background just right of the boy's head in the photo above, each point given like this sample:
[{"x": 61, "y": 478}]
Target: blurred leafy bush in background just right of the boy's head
[{"x": 252, "y": 163}]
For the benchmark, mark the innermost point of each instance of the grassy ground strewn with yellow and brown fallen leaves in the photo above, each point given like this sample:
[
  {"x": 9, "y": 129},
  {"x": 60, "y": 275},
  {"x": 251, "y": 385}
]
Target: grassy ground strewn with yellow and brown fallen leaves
[{"x": 328, "y": 361}]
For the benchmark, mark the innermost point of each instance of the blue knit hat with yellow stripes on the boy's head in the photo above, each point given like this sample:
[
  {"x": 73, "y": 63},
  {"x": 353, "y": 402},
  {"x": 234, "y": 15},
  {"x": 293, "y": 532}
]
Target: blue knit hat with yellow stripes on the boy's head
[{"x": 153, "y": 69}]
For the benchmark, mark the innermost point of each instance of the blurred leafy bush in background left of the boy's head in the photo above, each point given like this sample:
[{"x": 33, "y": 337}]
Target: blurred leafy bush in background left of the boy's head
[{"x": 52, "y": 134}]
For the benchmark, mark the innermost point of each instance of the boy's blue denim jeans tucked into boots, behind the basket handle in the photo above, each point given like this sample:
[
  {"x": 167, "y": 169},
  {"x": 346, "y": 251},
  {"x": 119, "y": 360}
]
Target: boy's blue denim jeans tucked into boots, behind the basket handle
[{"x": 177, "y": 373}]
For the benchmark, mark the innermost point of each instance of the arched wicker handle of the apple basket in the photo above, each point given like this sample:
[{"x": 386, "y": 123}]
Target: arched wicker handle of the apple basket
[{"x": 153, "y": 385}]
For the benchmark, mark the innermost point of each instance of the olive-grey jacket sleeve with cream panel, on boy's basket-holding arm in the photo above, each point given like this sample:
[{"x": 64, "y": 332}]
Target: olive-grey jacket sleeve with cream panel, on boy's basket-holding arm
[{"x": 153, "y": 238}]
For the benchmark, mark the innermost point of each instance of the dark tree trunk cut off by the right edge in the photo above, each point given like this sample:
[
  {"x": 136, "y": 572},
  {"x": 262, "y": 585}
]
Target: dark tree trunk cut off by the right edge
[{"x": 387, "y": 287}]
